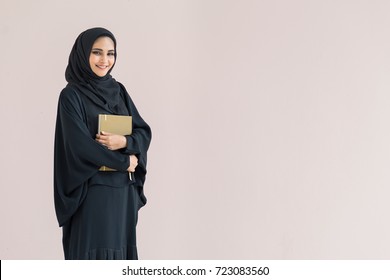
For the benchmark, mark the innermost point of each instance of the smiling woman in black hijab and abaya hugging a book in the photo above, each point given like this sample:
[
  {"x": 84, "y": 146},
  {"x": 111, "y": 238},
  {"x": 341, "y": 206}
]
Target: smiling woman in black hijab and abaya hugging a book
[{"x": 97, "y": 210}]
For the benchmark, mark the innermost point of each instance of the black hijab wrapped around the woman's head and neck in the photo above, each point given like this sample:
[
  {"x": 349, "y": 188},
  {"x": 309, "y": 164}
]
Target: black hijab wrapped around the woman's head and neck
[{"x": 103, "y": 91}]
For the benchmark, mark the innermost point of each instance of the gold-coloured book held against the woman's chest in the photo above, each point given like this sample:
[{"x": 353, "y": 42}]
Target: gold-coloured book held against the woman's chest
[{"x": 115, "y": 124}]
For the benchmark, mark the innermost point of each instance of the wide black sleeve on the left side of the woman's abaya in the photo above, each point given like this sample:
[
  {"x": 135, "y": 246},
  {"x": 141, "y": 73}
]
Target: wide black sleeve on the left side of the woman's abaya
[{"x": 77, "y": 156}]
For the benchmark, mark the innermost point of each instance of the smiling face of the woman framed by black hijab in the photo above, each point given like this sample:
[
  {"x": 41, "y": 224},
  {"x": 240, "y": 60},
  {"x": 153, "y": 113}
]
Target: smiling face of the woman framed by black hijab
[{"x": 102, "y": 56}]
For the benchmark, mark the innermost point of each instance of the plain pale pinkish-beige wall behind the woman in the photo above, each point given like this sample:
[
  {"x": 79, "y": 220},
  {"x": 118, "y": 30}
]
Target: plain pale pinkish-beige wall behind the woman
[{"x": 270, "y": 120}]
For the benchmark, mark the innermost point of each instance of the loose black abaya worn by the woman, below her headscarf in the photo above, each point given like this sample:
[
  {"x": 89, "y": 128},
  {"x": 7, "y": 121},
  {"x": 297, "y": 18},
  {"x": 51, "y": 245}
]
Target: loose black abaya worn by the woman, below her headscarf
[{"x": 98, "y": 210}]
